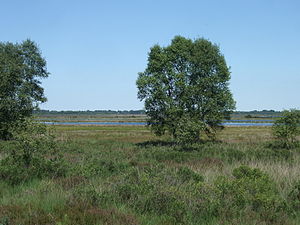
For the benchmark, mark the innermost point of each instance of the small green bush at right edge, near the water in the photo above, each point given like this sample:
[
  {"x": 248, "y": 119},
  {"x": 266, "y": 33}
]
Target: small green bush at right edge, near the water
[{"x": 286, "y": 129}]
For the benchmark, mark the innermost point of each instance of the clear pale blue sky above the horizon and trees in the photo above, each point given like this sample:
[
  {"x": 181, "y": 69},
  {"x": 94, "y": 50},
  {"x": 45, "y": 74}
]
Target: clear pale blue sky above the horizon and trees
[{"x": 94, "y": 49}]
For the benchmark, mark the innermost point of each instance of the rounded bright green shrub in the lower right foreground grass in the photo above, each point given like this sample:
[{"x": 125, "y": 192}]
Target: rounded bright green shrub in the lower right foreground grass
[{"x": 251, "y": 189}]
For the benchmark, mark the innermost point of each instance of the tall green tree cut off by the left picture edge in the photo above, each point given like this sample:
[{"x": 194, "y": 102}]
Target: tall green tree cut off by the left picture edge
[{"x": 21, "y": 67}]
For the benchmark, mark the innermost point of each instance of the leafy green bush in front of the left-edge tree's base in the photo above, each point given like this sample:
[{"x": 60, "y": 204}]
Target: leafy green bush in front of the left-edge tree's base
[{"x": 34, "y": 155}]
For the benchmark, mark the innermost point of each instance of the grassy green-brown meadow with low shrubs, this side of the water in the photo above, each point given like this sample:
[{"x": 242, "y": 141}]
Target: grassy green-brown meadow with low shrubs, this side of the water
[{"x": 125, "y": 175}]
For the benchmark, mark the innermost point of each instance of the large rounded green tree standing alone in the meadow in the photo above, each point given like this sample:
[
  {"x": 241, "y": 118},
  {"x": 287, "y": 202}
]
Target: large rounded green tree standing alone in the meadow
[{"x": 185, "y": 89}]
